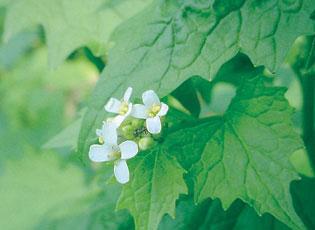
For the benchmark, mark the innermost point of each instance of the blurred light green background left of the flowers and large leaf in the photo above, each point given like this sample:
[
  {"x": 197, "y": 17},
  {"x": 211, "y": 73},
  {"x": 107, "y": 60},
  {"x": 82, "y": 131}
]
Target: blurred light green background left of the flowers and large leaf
[{"x": 42, "y": 188}]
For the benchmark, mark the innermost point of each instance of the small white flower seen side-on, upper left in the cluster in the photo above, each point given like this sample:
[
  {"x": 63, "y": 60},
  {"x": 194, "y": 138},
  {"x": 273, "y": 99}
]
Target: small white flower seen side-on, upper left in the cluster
[{"x": 121, "y": 107}]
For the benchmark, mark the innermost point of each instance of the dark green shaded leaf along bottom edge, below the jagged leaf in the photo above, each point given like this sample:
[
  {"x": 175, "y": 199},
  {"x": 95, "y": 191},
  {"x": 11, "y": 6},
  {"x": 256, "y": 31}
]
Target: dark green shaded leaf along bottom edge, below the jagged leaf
[{"x": 210, "y": 215}]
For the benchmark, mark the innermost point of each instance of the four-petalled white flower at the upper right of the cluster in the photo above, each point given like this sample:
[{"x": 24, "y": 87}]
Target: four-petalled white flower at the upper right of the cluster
[{"x": 152, "y": 110}]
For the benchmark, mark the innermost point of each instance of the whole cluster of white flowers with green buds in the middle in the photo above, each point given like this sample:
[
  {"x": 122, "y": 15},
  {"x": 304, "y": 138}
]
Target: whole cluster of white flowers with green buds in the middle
[{"x": 121, "y": 136}]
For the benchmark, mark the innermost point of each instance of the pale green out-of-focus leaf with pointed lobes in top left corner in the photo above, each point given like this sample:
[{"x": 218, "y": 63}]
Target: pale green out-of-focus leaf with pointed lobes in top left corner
[{"x": 79, "y": 23}]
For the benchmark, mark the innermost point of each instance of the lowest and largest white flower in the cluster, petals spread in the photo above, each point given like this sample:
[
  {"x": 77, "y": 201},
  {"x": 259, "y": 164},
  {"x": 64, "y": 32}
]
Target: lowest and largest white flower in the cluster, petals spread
[{"x": 109, "y": 150}]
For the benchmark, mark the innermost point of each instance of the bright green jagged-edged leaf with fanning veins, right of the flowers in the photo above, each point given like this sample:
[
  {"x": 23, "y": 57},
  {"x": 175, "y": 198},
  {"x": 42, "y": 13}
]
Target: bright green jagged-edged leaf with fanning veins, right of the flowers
[{"x": 247, "y": 157}]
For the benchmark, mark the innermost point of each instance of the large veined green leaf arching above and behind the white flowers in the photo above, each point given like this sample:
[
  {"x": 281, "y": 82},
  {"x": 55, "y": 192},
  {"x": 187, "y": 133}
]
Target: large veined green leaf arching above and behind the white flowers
[{"x": 170, "y": 41}]
